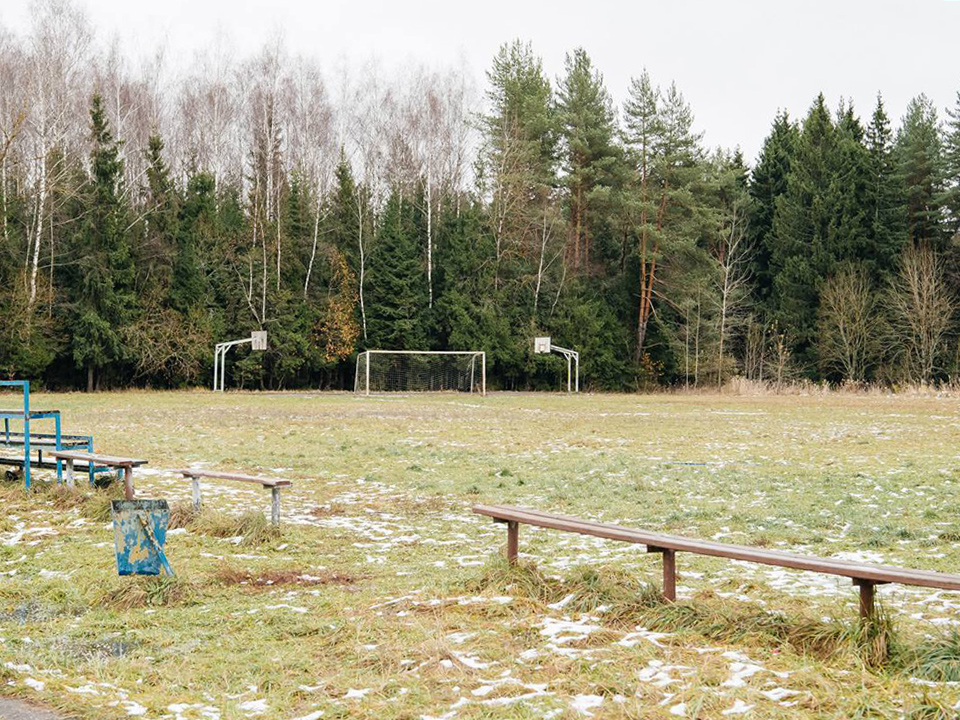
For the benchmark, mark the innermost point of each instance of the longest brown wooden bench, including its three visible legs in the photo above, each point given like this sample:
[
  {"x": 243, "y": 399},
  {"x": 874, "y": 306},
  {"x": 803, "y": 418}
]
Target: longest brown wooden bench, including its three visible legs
[{"x": 864, "y": 575}]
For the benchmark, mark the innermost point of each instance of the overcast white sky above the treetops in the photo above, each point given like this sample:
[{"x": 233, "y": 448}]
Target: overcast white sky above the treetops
[{"x": 737, "y": 61}]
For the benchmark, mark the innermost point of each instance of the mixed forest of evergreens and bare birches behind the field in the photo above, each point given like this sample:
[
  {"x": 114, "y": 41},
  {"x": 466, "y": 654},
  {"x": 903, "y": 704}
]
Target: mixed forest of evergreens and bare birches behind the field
[{"x": 144, "y": 219}]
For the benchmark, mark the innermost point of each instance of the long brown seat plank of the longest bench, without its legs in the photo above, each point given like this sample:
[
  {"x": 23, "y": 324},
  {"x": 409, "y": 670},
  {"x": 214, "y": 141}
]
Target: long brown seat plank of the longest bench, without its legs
[{"x": 873, "y": 574}]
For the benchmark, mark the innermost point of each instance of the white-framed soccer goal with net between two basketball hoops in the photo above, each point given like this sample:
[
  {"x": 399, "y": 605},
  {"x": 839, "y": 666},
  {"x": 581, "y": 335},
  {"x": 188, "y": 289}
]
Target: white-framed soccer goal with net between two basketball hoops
[{"x": 421, "y": 371}]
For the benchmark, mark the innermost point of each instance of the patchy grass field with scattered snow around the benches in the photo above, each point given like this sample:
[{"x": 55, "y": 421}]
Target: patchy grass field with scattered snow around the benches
[{"x": 383, "y": 597}]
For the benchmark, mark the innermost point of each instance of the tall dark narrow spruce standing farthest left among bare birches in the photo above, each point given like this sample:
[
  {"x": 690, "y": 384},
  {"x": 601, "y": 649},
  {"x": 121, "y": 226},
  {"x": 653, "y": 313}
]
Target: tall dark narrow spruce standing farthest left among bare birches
[{"x": 106, "y": 302}]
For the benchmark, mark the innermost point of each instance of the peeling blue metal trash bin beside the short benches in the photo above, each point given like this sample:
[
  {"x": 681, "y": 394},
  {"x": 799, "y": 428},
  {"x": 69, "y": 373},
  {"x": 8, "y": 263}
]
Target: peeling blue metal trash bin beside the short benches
[{"x": 139, "y": 532}]
